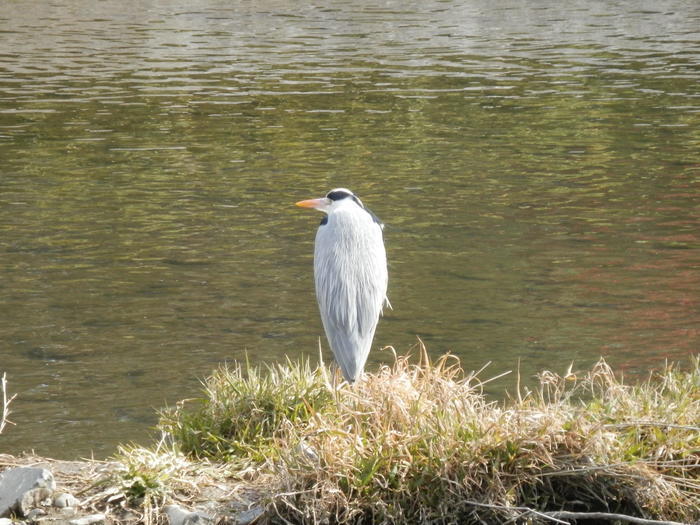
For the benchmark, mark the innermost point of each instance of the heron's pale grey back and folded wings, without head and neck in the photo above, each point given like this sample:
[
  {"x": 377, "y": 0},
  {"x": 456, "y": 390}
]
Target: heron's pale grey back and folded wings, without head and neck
[{"x": 351, "y": 281}]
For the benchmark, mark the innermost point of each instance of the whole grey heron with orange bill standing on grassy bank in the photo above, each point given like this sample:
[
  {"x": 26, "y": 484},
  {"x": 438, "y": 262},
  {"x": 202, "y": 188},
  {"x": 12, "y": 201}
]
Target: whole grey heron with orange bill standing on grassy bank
[{"x": 351, "y": 276}]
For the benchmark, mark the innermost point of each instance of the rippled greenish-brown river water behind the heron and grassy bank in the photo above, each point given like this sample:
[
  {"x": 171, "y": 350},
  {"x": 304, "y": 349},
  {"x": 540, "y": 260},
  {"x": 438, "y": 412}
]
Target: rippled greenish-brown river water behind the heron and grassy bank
[{"x": 537, "y": 165}]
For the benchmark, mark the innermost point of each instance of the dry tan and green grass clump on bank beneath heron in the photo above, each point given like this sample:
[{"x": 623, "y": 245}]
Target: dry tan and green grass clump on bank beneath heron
[{"x": 420, "y": 443}]
